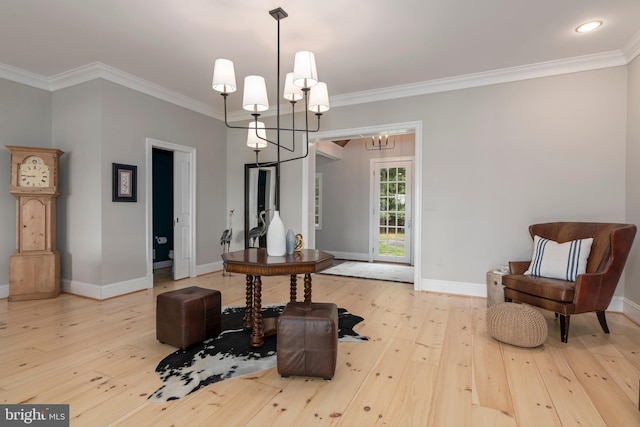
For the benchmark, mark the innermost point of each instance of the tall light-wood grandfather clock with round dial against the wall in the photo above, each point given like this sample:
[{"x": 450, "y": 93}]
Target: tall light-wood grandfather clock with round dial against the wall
[{"x": 34, "y": 270}]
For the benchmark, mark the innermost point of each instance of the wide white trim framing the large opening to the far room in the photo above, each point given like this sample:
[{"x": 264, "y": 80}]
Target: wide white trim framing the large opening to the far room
[{"x": 308, "y": 173}]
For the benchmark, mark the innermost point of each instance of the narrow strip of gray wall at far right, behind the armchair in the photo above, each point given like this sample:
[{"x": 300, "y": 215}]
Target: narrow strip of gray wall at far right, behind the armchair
[{"x": 632, "y": 283}]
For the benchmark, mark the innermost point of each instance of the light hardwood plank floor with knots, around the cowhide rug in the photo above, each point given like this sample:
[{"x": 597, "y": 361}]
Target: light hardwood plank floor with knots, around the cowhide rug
[{"x": 429, "y": 362}]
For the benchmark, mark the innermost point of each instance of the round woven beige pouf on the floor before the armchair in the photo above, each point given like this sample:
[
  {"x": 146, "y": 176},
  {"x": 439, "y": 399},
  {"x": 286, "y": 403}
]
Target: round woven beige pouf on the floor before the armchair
[{"x": 517, "y": 324}]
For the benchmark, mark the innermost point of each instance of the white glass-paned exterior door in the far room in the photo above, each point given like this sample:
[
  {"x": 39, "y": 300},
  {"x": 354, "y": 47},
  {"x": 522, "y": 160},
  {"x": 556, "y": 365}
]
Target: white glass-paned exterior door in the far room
[{"x": 391, "y": 225}]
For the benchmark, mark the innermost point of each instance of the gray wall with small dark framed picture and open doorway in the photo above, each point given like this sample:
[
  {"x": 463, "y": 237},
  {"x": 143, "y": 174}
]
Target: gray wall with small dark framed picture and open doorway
[{"x": 129, "y": 118}]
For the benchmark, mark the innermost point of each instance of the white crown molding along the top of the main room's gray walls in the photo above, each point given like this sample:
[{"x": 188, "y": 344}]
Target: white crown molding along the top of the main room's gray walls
[{"x": 543, "y": 69}]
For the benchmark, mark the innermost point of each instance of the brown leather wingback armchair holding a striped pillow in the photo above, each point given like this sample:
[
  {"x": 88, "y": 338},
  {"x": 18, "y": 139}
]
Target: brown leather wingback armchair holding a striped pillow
[{"x": 591, "y": 291}]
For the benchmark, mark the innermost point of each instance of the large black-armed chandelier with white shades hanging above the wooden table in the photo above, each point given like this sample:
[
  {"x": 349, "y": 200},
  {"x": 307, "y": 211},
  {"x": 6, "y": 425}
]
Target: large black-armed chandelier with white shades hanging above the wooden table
[{"x": 301, "y": 84}]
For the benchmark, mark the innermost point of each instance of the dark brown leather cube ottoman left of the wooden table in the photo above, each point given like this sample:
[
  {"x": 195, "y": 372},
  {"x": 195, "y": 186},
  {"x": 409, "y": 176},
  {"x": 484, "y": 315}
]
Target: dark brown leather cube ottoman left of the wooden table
[{"x": 188, "y": 316}]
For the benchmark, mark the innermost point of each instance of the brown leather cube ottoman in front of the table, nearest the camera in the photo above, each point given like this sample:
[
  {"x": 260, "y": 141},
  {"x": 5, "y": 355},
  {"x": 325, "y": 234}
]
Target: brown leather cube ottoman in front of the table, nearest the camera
[{"x": 308, "y": 340}]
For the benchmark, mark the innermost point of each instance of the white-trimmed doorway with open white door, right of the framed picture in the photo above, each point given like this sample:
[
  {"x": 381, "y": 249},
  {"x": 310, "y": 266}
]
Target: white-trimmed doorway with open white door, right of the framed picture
[{"x": 183, "y": 209}]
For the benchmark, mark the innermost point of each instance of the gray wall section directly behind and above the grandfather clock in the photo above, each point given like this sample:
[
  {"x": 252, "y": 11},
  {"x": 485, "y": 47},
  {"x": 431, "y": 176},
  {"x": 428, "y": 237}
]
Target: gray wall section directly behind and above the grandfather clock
[{"x": 25, "y": 119}]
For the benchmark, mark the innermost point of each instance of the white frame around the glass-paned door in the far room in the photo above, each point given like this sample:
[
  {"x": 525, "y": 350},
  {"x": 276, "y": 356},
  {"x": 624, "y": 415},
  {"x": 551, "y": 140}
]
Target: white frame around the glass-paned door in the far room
[{"x": 373, "y": 240}]
